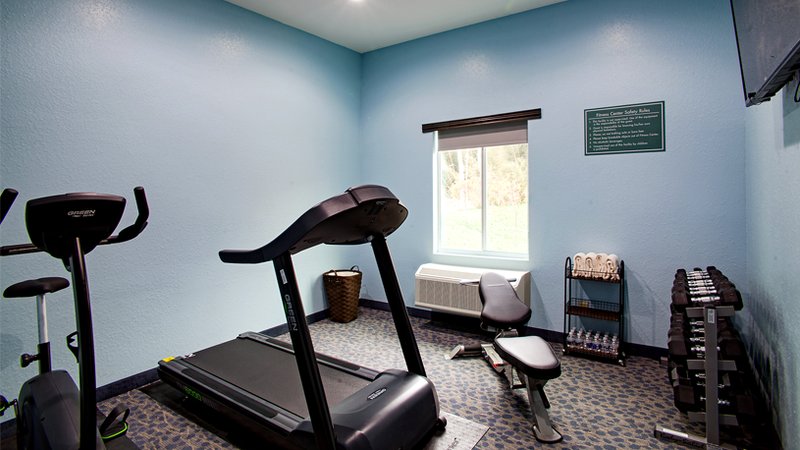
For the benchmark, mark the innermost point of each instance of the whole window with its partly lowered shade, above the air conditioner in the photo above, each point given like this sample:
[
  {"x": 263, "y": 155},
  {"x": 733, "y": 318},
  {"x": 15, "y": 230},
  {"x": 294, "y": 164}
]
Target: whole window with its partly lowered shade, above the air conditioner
[{"x": 481, "y": 205}]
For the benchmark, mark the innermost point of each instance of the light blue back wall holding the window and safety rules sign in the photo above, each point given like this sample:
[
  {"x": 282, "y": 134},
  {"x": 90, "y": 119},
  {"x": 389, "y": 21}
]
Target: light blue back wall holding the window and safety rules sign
[{"x": 658, "y": 211}]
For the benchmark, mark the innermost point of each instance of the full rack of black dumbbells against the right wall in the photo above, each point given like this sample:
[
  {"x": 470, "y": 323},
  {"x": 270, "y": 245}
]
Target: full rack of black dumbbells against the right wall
[{"x": 706, "y": 354}]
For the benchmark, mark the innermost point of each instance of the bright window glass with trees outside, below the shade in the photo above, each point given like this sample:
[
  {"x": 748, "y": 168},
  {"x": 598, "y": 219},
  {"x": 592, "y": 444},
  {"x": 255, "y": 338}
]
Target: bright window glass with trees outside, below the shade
[{"x": 483, "y": 200}]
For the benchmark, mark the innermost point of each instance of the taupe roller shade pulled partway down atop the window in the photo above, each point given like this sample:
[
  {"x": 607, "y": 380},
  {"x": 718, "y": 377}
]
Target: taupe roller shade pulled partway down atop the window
[{"x": 506, "y": 133}]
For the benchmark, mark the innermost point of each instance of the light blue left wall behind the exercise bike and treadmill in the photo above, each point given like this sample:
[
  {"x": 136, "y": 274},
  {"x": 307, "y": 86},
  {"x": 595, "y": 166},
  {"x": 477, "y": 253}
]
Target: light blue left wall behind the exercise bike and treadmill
[{"x": 234, "y": 124}]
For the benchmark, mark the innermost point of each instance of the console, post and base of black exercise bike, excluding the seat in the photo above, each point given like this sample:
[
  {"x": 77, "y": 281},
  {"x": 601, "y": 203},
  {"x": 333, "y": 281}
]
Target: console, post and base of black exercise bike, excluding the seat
[{"x": 52, "y": 412}]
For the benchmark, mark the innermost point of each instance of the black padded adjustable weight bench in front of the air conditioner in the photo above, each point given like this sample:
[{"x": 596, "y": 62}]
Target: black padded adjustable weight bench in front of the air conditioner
[{"x": 531, "y": 357}]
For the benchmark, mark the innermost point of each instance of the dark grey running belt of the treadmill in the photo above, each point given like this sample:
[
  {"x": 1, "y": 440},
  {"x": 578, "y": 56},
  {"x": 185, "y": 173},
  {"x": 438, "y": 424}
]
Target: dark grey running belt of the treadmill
[{"x": 271, "y": 374}]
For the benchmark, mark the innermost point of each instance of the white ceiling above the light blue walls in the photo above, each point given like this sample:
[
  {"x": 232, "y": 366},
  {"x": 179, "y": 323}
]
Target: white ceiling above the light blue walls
[{"x": 365, "y": 25}]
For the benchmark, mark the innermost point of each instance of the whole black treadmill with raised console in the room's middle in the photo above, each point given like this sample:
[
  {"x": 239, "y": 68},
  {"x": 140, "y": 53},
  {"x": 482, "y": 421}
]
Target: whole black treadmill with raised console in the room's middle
[{"x": 294, "y": 397}]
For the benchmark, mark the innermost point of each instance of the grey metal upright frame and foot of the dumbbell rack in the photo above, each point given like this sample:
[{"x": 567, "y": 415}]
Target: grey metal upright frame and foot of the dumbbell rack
[{"x": 712, "y": 366}]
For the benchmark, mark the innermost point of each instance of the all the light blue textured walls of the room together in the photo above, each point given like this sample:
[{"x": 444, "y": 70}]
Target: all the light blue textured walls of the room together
[{"x": 235, "y": 124}]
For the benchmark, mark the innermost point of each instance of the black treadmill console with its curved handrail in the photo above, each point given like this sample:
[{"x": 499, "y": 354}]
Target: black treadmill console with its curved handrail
[{"x": 362, "y": 207}]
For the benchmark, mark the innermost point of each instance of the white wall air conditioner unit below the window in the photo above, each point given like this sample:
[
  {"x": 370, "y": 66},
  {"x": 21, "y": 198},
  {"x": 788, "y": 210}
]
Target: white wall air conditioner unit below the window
[{"x": 454, "y": 289}]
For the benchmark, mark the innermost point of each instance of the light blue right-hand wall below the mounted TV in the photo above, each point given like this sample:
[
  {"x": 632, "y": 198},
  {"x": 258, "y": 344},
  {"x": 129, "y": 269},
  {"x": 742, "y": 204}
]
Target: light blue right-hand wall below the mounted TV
[{"x": 772, "y": 148}]
